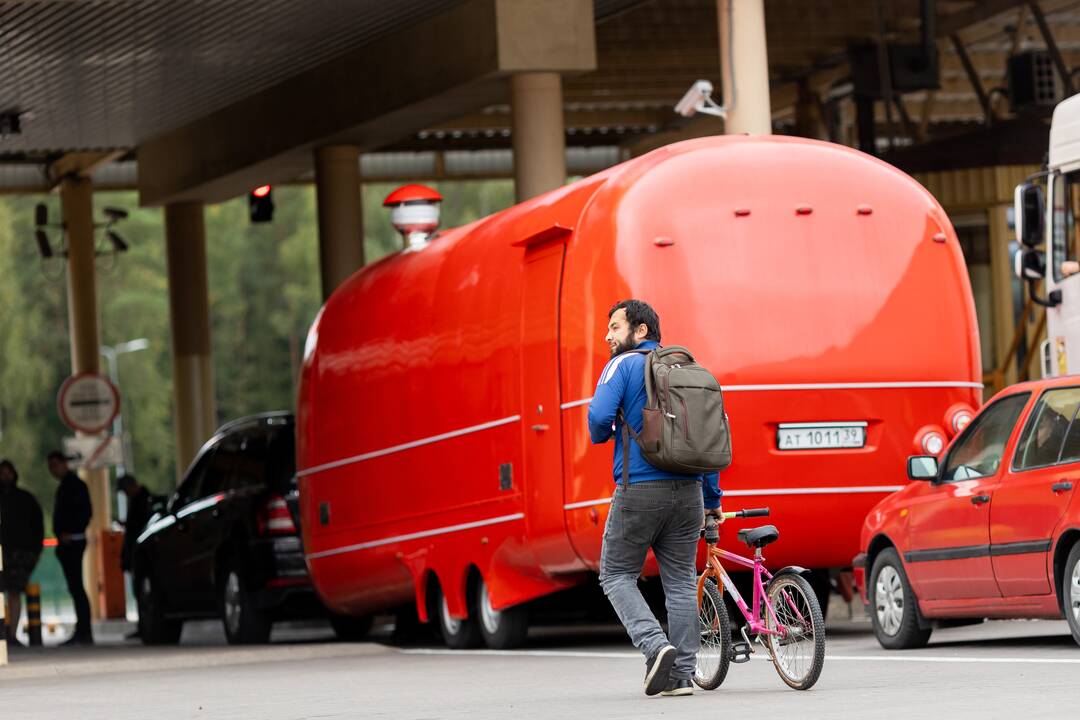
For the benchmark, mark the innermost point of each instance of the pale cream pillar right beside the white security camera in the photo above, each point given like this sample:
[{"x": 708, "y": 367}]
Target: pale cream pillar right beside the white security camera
[{"x": 746, "y": 67}]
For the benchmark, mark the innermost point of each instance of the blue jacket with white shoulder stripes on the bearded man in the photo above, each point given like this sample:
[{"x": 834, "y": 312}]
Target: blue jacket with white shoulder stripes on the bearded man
[{"x": 623, "y": 386}]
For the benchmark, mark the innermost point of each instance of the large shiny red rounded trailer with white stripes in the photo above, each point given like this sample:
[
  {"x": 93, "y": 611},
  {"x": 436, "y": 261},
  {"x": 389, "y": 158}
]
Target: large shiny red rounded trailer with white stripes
[{"x": 443, "y": 450}]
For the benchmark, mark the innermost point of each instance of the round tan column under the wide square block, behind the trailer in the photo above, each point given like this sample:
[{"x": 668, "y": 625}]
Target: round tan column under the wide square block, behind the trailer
[{"x": 538, "y": 133}]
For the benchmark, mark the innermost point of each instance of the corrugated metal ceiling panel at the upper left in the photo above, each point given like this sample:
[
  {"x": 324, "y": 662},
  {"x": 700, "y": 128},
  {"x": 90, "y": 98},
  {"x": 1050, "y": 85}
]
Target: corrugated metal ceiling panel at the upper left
[{"x": 109, "y": 74}]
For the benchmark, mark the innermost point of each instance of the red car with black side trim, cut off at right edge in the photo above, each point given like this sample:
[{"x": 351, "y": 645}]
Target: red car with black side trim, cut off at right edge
[{"x": 992, "y": 532}]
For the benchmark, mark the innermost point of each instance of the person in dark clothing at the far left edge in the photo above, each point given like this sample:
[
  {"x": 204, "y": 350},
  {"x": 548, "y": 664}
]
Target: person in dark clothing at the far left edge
[{"x": 22, "y": 532}]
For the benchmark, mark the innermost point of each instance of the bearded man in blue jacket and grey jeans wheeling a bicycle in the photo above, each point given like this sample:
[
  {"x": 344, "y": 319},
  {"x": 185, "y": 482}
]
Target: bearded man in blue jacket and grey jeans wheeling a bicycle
[{"x": 655, "y": 509}]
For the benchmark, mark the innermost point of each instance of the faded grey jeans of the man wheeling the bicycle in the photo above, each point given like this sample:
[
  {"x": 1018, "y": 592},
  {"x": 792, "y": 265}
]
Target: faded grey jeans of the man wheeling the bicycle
[{"x": 667, "y": 517}]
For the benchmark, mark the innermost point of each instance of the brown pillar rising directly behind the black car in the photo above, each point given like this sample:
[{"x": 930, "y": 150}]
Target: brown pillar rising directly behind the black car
[{"x": 195, "y": 412}]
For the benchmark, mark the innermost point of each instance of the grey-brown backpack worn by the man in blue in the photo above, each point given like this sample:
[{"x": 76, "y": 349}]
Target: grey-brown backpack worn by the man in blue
[{"x": 685, "y": 428}]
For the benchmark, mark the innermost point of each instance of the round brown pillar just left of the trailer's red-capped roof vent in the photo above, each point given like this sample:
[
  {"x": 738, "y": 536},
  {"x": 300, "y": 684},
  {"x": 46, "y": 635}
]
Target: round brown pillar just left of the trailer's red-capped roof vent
[{"x": 341, "y": 215}]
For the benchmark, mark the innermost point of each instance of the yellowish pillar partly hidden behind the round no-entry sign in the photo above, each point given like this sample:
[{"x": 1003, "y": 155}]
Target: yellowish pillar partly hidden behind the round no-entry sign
[{"x": 78, "y": 211}]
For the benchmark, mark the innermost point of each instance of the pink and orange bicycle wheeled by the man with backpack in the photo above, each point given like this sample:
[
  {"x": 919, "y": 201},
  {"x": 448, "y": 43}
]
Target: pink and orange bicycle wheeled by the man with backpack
[{"x": 786, "y": 618}]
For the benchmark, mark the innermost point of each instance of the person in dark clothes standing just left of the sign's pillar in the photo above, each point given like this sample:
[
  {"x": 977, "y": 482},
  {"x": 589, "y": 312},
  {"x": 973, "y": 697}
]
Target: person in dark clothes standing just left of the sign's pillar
[{"x": 72, "y": 514}]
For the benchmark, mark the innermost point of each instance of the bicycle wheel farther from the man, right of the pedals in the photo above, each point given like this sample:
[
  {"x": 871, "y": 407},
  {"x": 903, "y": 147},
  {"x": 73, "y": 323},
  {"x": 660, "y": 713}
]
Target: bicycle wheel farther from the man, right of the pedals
[{"x": 799, "y": 650}]
